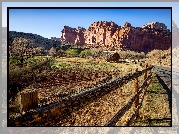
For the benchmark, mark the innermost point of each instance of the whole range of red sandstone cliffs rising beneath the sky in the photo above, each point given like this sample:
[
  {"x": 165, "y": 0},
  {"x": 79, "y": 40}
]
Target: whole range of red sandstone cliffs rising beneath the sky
[{"x": 108, "y": 35}]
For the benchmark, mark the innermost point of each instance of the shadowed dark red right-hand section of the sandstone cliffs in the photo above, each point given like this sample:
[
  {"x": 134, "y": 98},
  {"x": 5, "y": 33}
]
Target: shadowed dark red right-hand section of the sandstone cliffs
[{"x": 144, "y": 39}]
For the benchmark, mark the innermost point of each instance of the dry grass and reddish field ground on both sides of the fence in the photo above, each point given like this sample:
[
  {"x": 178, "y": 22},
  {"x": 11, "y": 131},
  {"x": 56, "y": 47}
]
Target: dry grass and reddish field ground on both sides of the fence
[{"x": 63, "y": 77}]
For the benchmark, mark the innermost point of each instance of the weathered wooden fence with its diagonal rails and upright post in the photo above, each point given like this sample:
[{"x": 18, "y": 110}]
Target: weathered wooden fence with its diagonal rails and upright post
[{"x": 65, "y": 107}]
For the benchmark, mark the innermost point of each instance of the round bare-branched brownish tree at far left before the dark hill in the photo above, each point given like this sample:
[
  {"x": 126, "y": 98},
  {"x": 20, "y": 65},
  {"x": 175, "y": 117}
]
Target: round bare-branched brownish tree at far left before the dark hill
[{"x": 22, "y": 49}]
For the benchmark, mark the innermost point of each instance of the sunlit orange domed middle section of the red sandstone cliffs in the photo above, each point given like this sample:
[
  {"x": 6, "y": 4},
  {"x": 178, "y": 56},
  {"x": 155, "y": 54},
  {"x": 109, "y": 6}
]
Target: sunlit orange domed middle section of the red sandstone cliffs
[{"x": 101, "y": 34}]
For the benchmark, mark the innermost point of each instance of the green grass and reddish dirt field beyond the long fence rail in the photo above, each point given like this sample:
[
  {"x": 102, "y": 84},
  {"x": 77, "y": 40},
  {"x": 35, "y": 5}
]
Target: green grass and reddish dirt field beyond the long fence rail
[{"x": 70, "y": 76}]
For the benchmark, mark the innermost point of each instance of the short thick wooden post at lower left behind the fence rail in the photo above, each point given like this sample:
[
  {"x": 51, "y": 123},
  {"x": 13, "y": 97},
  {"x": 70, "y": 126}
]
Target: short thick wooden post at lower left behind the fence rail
[{"x": 29, "y": 99}]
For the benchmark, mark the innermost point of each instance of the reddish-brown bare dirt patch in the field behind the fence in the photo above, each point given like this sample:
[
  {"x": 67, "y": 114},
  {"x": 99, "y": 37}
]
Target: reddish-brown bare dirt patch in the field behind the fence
[{"x": 62, "y": 84}]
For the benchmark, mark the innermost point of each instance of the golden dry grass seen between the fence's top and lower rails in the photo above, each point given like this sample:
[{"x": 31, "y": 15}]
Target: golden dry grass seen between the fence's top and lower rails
[{"x": 102, "y": 110}]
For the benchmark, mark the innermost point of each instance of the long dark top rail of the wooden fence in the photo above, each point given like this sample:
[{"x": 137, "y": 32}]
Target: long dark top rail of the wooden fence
[{"x": 66, "y": 106}]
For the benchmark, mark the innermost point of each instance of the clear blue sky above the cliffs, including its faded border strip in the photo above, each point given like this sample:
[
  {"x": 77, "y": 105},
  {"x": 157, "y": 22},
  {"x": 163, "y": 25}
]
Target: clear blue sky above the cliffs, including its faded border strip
[{"x": 49, "y": 23}]
